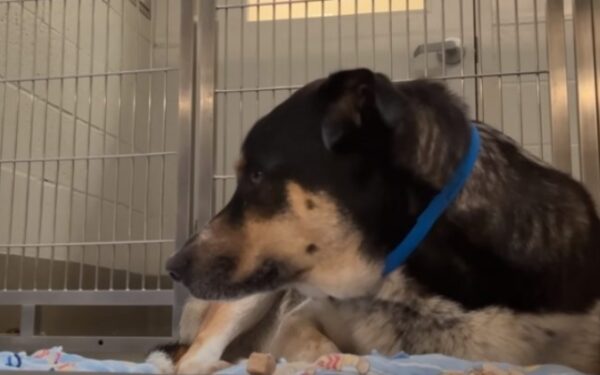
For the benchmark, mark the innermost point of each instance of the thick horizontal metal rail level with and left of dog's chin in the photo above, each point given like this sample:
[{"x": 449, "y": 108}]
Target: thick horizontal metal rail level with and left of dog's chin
[{"x": 87, "y": 297}]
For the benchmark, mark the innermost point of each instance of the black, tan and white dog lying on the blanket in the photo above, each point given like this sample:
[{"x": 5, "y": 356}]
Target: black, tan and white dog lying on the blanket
[{"x": 330, "y": 181}]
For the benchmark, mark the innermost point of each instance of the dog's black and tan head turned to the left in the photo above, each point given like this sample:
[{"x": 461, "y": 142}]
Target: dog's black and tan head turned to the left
[{"x": 312, "y": 202}]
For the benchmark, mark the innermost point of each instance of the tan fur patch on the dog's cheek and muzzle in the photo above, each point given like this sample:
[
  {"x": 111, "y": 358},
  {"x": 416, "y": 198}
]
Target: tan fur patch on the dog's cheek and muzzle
[{"x": 286, "y": 236}]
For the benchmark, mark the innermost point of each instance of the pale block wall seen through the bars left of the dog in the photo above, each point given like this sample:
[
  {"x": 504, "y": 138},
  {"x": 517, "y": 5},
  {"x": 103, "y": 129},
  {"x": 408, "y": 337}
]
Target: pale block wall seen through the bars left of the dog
[{"x": 88, "y": 200}]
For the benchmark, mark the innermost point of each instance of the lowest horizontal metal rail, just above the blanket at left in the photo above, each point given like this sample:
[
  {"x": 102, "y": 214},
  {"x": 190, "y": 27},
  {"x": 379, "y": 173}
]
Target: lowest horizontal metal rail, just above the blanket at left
[{"x": 76, "y": 344}]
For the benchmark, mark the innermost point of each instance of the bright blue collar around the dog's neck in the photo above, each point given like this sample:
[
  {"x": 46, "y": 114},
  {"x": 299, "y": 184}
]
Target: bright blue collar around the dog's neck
[{"x": 436, "y": 207}]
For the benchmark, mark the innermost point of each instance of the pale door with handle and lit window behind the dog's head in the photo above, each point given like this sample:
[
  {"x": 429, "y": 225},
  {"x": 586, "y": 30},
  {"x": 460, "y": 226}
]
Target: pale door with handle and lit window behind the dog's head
[{"x": 266, "y": 49}]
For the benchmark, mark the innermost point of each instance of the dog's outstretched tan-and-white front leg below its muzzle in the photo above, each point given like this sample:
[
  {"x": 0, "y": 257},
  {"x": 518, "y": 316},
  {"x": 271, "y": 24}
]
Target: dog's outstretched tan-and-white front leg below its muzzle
[{"x": 221, "y": 323}]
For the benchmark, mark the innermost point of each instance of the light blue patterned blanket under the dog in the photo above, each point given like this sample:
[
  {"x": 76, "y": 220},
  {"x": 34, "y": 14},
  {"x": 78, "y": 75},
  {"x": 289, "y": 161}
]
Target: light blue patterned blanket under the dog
[{"x": 55, "y": 359}]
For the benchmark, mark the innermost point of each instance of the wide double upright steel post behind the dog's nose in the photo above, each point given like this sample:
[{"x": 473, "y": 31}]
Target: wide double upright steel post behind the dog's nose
[{"x": 196, "y": 137}]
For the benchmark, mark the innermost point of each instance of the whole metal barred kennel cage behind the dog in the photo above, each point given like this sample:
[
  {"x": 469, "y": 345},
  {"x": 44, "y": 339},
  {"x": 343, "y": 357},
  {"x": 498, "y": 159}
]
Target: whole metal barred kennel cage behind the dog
[{"x": 119, "y": 133}]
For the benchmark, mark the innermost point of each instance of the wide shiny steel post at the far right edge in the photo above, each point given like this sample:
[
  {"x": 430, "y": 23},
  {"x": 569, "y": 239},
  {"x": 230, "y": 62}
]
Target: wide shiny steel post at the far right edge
[{"x": 586, "y": 101}]
